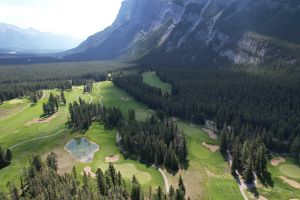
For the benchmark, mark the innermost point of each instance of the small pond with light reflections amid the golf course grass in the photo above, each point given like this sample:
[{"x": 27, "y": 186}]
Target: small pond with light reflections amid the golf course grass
[{"x": 82, "y": 149}]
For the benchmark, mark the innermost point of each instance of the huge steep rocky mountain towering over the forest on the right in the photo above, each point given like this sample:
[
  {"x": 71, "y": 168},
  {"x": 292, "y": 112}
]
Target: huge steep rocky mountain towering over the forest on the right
[{"x": 199, "y": 31}]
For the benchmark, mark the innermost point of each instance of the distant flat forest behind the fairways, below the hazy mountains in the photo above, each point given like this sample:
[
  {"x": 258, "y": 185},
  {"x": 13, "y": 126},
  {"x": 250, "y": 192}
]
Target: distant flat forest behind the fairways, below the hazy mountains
[{"x": 22, "y": 80}]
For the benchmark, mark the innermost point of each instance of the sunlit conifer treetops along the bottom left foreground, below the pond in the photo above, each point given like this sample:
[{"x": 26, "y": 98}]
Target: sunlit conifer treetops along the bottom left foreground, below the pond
[{"x": 41, "y": 181}]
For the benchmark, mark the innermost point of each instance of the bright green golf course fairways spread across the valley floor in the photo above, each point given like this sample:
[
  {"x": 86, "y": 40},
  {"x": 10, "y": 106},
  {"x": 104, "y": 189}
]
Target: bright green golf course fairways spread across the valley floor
[{"x": 207, "y": 177}]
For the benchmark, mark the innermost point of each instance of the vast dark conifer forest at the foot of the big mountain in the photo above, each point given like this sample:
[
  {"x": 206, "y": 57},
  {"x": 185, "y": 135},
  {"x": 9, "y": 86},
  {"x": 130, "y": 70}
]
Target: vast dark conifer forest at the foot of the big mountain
[{"x": 269, "y": 105}]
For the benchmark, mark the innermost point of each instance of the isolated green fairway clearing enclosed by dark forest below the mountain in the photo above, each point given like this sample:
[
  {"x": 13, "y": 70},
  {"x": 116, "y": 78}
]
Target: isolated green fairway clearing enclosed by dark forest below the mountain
[{"x": 150, "y": 78}]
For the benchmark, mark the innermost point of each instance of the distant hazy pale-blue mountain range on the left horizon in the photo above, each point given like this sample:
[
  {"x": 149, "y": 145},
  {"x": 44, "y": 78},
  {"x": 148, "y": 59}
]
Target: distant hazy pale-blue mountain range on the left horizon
[{"x": 13, "y": 38}]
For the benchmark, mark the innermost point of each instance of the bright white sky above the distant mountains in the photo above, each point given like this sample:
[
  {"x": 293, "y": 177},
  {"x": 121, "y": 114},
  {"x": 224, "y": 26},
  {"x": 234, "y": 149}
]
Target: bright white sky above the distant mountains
[{"x": 78, "y": 18}]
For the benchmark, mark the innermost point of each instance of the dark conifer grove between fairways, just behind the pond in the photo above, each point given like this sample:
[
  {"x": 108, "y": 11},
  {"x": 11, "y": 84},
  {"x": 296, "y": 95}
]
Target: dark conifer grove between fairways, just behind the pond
[{"x": 82, "y": 115}]
